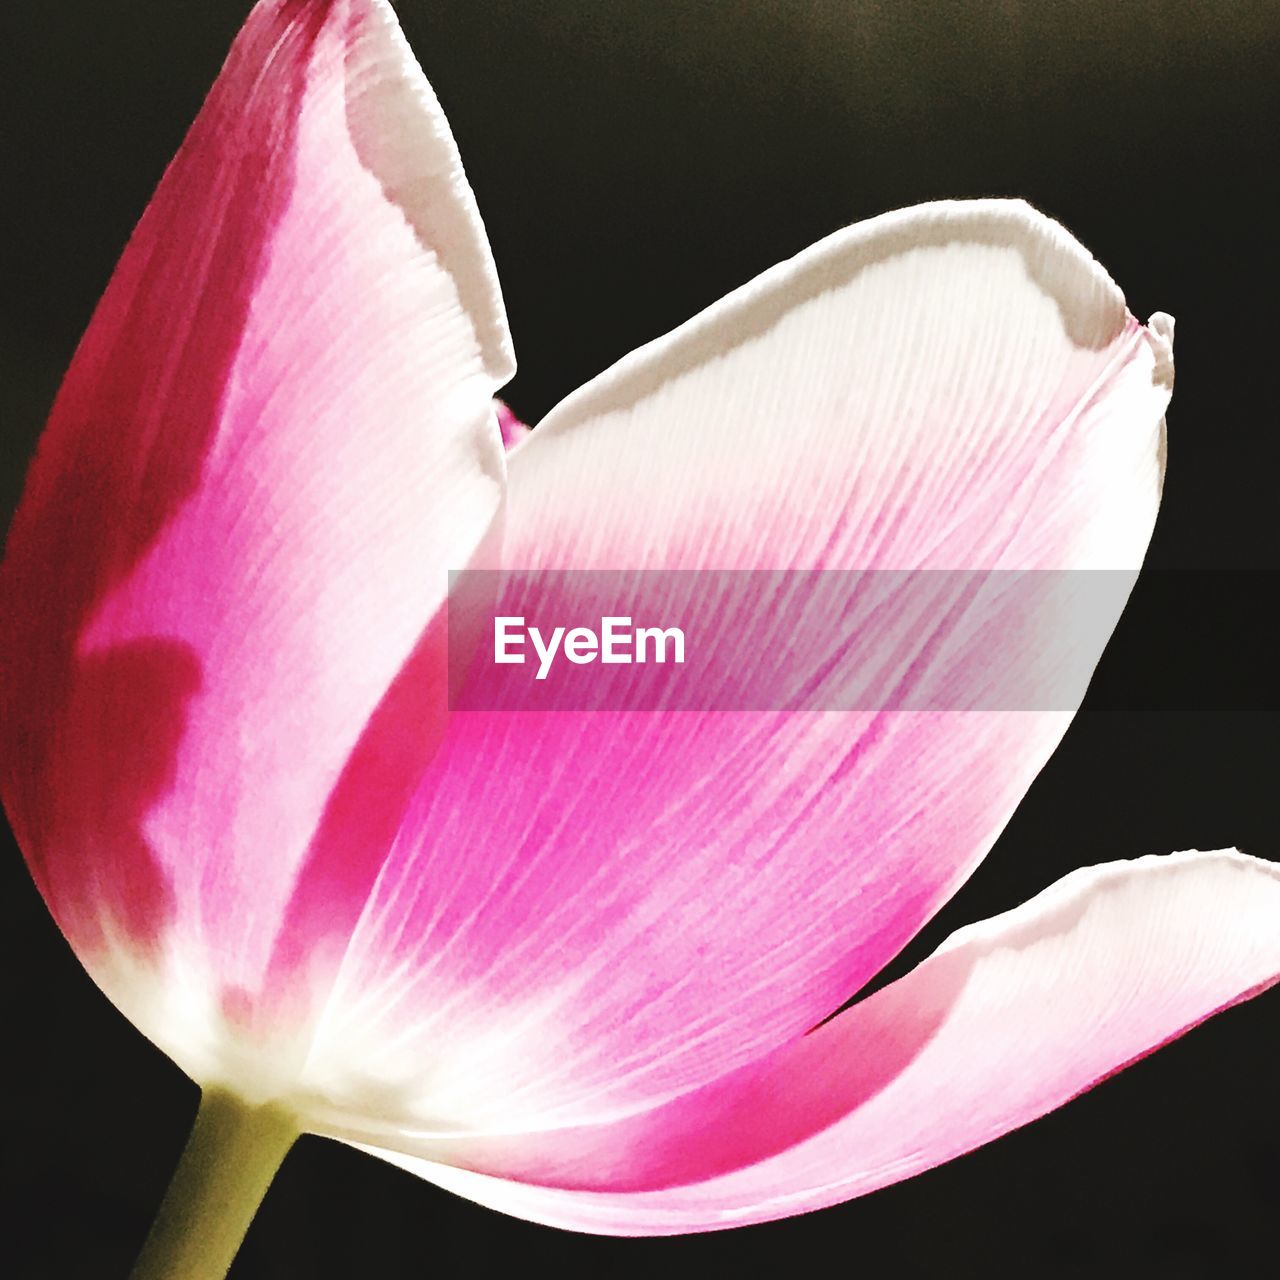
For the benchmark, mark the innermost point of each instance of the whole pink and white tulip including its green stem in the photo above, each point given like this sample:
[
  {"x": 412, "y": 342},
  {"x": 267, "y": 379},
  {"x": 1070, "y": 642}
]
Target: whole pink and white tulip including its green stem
[{"x": 566, "y": 964}]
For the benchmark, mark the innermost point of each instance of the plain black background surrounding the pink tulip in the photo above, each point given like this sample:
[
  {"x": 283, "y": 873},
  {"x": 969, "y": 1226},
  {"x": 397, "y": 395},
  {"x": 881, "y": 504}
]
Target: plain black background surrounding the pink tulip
[{"x": 634, "y": 162}]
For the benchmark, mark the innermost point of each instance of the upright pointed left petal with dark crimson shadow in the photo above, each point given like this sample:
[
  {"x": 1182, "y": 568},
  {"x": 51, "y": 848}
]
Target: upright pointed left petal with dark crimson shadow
[{"x": 275, "y": 441}]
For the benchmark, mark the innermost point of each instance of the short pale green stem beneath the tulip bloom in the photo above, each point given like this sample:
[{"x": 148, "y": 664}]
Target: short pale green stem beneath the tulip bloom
[{"x": 231, "y": 1158}]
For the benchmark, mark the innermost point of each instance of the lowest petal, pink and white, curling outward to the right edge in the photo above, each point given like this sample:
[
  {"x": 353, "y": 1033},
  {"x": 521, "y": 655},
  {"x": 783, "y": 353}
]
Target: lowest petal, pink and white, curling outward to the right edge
[{"x": 1008, "y": 1021}]
